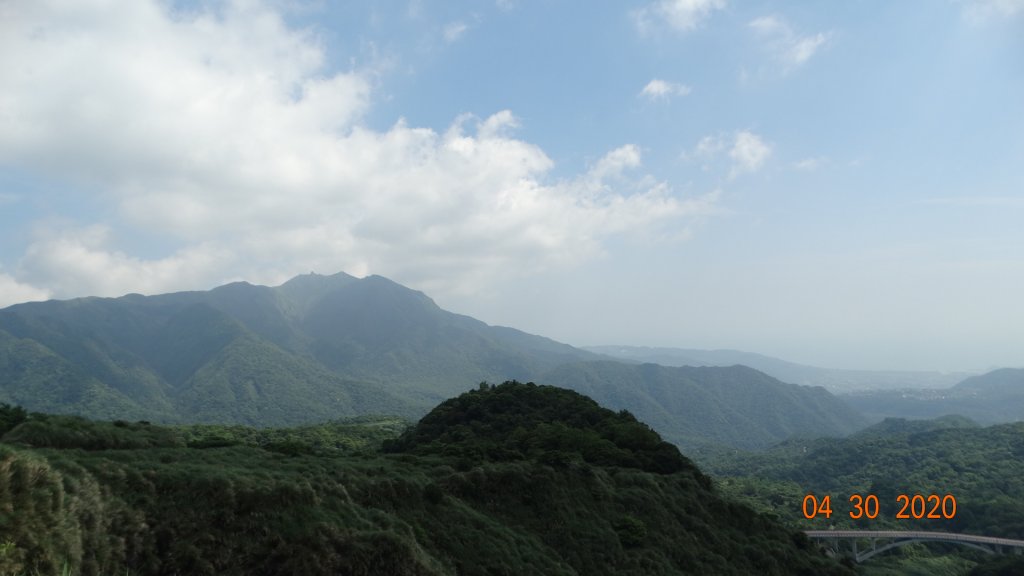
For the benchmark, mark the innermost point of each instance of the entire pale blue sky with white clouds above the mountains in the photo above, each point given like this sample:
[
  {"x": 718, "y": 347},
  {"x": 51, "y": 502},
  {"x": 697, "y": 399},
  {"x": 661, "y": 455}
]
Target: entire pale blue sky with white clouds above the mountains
[{"x": 837, "y": 184}]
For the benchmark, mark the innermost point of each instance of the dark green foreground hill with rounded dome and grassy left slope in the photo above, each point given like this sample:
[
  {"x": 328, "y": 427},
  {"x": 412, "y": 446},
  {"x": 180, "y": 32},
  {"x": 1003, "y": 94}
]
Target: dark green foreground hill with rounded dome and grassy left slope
[{"x": 515, "y": 479}]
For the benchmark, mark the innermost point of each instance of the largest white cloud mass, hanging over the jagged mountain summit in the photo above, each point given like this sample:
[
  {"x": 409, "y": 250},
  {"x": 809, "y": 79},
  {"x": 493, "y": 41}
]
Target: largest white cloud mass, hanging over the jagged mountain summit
[{"x": 225, "y": 133}]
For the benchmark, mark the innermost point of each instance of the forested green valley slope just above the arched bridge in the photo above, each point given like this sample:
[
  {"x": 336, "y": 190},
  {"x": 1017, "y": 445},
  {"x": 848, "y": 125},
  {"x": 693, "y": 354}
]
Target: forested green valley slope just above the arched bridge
[{"x": 982, "y": 468}]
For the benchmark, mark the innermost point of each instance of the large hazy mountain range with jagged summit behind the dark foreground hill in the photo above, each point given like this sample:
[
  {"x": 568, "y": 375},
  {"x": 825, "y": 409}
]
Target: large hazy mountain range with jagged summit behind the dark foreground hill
[{"x": 319, "y": 348}]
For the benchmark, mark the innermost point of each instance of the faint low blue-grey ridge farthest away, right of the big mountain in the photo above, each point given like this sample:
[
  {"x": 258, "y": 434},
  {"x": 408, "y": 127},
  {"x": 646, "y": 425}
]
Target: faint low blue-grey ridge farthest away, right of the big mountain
[{"x": 836, "y": 381}]
